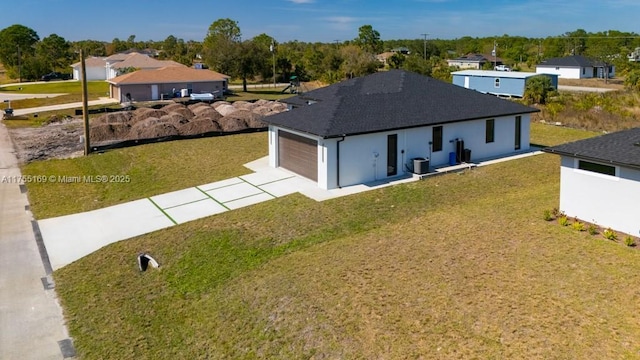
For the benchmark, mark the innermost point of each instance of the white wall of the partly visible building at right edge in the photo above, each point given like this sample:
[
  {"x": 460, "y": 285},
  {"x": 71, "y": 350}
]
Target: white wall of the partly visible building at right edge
[{"x": 608, "y": 201}]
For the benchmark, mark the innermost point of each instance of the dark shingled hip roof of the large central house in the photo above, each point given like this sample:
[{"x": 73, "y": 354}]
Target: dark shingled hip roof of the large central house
[{"x": 389, "y": 100}]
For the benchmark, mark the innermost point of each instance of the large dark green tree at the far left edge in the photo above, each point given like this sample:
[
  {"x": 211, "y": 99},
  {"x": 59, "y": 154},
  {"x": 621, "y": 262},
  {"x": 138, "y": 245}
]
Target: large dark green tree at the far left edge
[{"x": 17, "y": 45}]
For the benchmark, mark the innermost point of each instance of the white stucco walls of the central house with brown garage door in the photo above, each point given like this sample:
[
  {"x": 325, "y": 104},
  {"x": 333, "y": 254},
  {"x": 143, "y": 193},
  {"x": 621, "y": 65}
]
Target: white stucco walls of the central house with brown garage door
[{"x": 359, "y": 164}]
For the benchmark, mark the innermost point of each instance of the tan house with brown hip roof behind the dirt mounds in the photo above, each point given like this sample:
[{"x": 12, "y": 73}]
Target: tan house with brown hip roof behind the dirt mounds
[{"x": 146, "y": 85}]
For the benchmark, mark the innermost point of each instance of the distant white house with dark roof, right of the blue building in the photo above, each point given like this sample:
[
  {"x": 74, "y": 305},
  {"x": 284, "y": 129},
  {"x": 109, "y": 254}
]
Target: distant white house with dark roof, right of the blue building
[{"x": 576, "y": 67}]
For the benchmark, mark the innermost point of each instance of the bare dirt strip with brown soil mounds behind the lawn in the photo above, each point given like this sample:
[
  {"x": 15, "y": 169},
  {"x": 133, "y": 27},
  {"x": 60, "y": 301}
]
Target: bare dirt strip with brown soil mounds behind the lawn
[{"x": 63, "y": 138}]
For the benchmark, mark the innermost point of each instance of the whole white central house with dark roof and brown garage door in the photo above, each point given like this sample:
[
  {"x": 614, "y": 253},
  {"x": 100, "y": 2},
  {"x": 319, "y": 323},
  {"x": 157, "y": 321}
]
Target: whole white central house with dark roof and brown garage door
[{"x": 370, "y": 128}]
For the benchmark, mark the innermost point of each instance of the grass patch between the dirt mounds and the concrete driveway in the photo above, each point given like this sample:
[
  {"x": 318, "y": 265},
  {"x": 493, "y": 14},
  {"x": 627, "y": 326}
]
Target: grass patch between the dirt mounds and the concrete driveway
[{"x": 153, "y": 169}]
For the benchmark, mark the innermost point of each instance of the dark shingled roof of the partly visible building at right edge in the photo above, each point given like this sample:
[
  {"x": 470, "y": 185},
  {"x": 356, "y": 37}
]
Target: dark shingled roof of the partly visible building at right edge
[{"x": 620, "y": 148}]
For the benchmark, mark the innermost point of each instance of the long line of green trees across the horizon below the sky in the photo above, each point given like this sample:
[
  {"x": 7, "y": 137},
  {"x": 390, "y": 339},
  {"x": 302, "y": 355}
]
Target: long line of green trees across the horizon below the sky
[{"x": 262, "y": 58}]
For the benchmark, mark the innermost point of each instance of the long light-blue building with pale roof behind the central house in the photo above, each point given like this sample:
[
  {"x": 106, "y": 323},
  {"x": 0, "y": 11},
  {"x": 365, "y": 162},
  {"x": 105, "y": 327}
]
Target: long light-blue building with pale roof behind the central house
[{"x": 501, "y": 83}]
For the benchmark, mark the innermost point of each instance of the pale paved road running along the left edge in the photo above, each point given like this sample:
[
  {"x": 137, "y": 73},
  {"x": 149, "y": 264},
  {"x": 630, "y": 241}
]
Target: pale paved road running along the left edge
[{"x": 31, "y": 322}]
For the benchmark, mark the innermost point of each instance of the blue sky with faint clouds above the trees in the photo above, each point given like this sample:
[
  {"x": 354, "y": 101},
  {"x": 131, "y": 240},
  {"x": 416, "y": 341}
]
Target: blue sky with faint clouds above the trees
[{"x": 319, "y": 20}]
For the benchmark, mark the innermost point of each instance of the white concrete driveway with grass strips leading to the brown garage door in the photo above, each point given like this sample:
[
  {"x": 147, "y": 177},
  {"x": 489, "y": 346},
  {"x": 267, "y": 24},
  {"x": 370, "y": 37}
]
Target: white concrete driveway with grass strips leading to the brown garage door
[{"x": 71, "y": 237}]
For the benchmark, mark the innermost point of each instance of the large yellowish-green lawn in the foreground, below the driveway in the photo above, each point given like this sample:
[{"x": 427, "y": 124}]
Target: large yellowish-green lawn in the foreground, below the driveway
[{"x": 459, "y": 266}]
